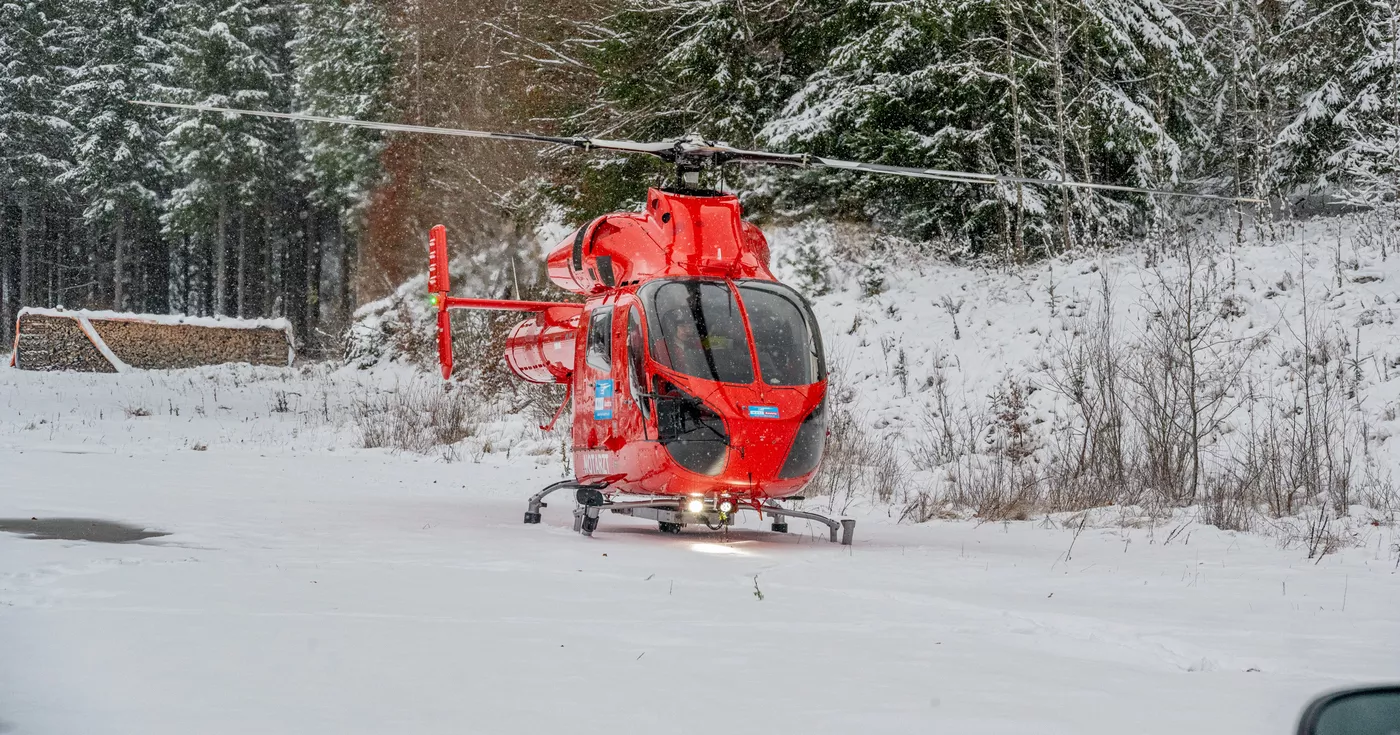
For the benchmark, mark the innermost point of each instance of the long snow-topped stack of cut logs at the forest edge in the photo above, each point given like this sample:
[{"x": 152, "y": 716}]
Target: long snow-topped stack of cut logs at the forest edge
[{"x": 111, "y": 342}]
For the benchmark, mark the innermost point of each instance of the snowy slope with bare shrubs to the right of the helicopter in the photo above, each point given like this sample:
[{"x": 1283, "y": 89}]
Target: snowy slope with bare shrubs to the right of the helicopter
[{"x": 1063, "y": 386}]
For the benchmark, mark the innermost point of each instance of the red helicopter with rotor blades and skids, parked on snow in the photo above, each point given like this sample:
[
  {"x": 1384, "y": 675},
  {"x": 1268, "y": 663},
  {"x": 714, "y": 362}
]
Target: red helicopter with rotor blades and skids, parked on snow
[{"x": 698, "y": 381}]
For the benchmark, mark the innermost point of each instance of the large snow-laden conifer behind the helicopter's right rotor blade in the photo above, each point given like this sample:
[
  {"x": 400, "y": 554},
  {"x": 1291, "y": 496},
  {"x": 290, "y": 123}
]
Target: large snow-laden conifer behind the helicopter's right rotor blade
[{"x": 1101, "y": 92}]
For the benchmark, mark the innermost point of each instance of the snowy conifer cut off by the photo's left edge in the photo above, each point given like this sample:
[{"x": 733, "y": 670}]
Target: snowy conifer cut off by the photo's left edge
[{"x": 34, "y": 152}]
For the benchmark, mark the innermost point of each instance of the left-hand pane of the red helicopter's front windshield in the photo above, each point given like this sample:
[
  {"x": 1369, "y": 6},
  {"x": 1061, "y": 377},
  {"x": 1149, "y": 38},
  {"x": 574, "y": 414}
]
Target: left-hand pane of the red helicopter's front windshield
[{"x": 696, "y": 330}]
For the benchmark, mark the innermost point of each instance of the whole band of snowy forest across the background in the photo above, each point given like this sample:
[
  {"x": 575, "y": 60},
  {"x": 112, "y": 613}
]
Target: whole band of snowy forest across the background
[{"x": 117, "y": 206}]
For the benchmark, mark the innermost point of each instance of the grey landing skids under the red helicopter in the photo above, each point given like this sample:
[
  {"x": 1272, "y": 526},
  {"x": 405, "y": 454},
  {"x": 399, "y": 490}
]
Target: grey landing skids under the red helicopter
[{"x": 670, "y": 513}]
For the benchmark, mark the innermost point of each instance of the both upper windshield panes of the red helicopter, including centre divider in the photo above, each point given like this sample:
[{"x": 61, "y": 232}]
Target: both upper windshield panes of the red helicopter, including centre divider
[{"x": 696, "y": 330}]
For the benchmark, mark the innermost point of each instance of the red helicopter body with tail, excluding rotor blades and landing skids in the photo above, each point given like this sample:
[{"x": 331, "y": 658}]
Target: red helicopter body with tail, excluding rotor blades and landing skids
[{"x": 692, "y": 370}]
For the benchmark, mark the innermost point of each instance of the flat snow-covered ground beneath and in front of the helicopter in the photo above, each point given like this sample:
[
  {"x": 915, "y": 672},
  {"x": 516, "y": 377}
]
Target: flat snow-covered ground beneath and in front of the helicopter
[{"x": 310, "y": 586}]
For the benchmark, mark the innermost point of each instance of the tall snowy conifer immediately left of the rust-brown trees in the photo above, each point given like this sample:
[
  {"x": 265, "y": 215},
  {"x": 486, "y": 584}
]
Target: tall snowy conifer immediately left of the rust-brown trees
[{"x": 342, "y": 68}]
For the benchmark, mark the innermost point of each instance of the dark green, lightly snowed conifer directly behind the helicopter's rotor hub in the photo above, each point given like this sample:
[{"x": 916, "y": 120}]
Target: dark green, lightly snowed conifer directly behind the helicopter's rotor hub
[{"x": 716, "y": 68}]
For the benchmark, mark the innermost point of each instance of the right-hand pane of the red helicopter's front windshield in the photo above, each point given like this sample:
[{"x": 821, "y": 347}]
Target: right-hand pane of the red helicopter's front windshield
[{"x": 785, "y": 335}]
